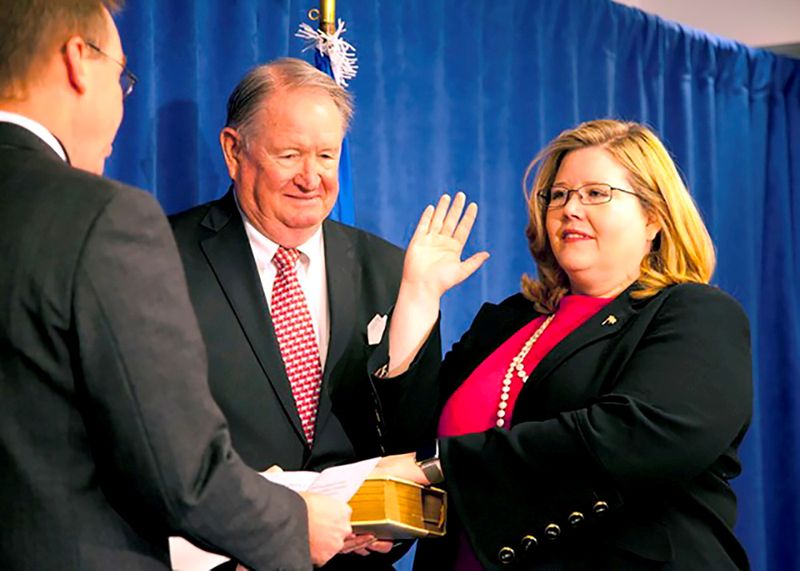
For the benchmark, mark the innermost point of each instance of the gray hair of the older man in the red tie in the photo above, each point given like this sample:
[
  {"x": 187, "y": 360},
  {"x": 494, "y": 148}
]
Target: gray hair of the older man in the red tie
[{"x": 265, "y": 80}]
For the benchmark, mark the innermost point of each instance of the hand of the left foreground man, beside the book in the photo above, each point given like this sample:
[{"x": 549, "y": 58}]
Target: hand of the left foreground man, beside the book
[{"x": 328, "y": 526}]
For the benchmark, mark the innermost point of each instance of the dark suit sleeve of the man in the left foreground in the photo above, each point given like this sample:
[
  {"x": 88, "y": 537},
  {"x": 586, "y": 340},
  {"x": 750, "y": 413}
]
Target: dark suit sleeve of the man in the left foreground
[{"x": 162, "y": 446}]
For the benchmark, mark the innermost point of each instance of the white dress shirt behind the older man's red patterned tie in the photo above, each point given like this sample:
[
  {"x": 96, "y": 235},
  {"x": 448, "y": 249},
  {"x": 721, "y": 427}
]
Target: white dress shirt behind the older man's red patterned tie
[{"x": 310, "y": 274}]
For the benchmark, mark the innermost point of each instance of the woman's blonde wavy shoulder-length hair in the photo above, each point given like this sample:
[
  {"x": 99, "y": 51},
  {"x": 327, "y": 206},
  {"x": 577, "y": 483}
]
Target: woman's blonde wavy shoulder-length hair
[{"x": 681, "y": 252}]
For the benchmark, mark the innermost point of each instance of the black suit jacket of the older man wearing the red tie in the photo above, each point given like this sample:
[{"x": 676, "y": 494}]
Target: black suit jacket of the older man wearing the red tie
[{"x": 359, "y": 415}]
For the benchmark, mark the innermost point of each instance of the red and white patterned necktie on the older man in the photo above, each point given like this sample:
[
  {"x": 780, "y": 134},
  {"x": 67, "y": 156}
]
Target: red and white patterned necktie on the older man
[{"x": 296, "y": 339}]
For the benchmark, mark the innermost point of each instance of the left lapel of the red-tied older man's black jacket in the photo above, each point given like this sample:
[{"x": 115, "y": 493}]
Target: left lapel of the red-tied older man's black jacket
[{"x": 230, "y": 257}]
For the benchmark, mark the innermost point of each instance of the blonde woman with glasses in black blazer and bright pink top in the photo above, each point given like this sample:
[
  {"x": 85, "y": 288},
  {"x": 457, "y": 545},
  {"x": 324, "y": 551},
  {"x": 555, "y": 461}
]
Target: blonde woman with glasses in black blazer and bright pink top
[{"x": 592, "y": 421}]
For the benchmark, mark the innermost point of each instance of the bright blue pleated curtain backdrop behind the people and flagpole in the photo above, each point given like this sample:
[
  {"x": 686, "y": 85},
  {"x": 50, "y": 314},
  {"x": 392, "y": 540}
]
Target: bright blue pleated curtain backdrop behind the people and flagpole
[{"x": 455, "y": 95}]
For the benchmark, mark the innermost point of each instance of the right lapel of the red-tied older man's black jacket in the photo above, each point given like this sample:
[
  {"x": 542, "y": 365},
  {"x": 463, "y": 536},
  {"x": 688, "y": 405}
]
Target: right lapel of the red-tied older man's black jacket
[{"x": 343, "y": 272}]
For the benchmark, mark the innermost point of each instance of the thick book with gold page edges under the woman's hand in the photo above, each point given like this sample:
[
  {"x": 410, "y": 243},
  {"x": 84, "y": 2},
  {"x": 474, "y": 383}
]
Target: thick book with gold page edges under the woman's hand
[{"x": 392, "y": 508}]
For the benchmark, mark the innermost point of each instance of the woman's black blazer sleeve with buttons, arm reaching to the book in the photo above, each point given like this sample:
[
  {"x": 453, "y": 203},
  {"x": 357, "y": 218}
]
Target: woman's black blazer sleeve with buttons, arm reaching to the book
[{"x": 678, "y": 403}]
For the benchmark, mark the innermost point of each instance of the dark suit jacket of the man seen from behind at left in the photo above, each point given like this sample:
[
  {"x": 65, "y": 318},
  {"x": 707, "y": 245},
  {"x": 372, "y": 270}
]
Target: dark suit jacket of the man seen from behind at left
[{"x": 109, "y": 438}]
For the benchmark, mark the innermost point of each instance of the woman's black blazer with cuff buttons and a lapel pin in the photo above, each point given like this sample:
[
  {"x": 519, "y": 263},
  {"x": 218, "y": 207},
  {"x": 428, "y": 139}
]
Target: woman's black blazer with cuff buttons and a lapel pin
[{"x": 622, "y": 442}]
